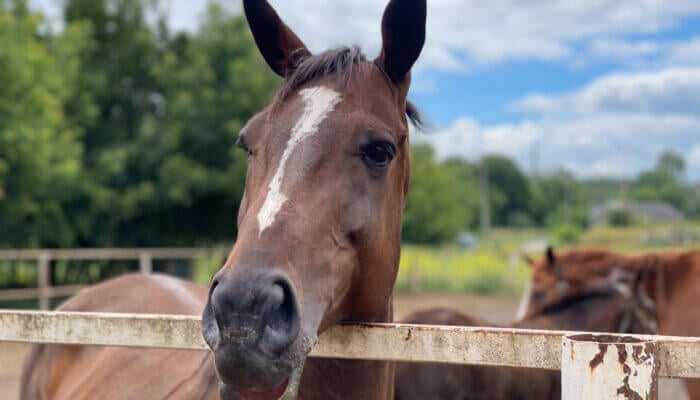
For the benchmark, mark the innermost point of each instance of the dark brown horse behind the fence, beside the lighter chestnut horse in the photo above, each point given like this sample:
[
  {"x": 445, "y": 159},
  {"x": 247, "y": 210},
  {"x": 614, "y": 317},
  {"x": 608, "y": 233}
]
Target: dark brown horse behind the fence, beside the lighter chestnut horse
[{"x": 611, "y": 307}]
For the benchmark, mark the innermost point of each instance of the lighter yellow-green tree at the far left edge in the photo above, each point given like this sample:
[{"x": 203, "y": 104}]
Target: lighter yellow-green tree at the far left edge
[{"x": 40, "y": 146}]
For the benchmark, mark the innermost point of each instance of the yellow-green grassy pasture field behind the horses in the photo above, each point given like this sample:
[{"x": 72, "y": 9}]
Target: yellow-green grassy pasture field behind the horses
[{"x": 493, "y": 268}]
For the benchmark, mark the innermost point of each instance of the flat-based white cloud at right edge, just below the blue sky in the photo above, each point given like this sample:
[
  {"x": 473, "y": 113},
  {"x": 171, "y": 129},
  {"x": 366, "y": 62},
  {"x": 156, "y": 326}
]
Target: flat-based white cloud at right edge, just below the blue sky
[{"x": 669, "y": 91}]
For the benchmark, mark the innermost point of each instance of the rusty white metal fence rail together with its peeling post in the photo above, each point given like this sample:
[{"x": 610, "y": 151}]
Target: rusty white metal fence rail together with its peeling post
[{"x": 595, "y": 366}]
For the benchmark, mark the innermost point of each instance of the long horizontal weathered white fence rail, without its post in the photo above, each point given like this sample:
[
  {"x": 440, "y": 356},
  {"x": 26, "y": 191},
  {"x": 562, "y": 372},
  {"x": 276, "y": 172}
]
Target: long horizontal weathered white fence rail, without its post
[{"x": 678, "y": 356}]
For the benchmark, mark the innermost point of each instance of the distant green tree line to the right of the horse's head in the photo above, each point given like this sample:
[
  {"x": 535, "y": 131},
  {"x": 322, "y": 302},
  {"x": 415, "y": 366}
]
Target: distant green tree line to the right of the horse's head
[{"x": 445, "y": 195}]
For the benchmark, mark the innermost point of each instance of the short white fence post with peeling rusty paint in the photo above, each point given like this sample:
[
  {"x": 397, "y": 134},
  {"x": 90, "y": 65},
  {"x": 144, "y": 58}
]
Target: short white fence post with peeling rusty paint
[{"x": 609, "y": 367}]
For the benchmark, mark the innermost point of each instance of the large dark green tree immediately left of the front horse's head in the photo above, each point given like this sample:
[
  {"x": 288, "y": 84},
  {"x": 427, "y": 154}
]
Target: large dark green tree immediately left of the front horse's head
[{"x": 161, "y": 168}]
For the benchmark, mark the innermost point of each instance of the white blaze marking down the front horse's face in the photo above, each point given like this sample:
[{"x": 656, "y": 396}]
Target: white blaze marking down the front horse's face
[{"x": 318, "y": 103}]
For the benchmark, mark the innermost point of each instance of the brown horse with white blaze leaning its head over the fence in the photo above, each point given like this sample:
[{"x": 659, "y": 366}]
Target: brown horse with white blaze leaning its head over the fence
[{"x": 319, "y": 233}]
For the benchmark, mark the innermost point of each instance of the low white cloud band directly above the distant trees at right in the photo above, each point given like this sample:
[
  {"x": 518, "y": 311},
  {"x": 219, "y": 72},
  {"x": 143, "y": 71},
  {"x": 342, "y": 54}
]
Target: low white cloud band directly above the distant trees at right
[{"x": 588, "y": 145}]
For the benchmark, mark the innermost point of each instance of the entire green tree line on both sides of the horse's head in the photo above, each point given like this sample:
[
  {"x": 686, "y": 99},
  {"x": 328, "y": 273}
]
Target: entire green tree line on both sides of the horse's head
[{"x": 117, "y": 131}]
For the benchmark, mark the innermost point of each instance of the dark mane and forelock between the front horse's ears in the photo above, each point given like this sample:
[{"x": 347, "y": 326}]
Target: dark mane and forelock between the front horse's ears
[{"x": 339, "y": 64}]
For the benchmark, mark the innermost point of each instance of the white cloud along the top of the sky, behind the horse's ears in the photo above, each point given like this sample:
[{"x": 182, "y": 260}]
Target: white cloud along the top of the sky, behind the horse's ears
[{"x": 462, "y": 33}]
